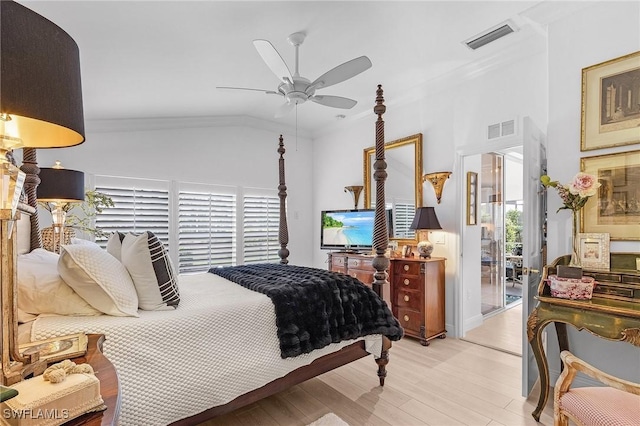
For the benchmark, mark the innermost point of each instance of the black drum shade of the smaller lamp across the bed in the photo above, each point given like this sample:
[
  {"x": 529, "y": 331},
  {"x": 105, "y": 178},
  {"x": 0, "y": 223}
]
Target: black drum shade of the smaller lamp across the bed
[{"x": 62, "y": 185}]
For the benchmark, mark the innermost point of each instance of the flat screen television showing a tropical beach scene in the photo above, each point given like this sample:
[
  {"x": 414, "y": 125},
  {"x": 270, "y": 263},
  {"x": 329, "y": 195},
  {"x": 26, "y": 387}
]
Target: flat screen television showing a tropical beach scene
[{"x": 347, "y": 230}]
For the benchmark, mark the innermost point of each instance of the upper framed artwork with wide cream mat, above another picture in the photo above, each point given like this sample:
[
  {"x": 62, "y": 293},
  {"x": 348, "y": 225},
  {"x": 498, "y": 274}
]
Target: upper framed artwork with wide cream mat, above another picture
[{"x": 611, "y": 103}]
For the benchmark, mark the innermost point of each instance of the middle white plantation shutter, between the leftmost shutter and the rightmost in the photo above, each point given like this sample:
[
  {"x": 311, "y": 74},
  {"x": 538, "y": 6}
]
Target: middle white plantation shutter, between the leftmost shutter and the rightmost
[{"x": 206, "y": 230}]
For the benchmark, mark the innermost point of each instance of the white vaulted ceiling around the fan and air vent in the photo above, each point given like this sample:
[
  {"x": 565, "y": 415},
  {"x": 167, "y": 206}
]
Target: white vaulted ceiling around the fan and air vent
[{"x": 164, "y": 59}]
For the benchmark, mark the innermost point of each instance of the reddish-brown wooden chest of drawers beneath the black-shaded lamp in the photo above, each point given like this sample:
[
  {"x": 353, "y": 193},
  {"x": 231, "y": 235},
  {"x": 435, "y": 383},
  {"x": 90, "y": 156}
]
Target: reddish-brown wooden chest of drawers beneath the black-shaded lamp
[{"x": 418, "y": 296}]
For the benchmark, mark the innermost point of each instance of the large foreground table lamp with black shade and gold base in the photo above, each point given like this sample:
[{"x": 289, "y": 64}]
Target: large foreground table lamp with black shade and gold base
[{"x": 40, "y": 107}]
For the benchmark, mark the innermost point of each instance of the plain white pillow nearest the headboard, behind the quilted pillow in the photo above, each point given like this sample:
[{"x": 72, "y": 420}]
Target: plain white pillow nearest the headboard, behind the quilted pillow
[{"x": 41, "y": 290}]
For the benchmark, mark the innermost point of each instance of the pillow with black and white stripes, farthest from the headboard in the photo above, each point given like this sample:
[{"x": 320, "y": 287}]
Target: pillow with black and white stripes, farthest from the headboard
[{"x": 148, "y": 263}]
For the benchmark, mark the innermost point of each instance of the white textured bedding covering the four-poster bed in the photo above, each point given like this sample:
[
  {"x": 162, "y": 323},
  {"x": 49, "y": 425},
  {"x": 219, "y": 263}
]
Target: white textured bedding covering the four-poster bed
[{"x": 219, "y": 343}]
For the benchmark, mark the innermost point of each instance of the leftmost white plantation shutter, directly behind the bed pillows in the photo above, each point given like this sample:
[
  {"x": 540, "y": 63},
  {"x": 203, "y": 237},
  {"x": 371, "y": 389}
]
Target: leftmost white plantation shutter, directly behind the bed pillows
[{"x": 139, "y": 205}]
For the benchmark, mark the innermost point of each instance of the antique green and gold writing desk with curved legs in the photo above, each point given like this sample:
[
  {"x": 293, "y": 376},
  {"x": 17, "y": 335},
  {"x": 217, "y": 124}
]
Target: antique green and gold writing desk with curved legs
[{"x": 613, "y": 313}]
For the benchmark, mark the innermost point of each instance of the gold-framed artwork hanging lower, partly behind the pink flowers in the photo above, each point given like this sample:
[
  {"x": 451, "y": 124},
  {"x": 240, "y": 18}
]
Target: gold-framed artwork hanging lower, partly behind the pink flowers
[{"x": 615, "y": 209}]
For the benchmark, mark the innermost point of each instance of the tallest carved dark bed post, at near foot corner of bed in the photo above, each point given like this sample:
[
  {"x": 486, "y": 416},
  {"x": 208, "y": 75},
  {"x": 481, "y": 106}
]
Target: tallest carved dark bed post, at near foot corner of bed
[{"x": 380, "y": 234}]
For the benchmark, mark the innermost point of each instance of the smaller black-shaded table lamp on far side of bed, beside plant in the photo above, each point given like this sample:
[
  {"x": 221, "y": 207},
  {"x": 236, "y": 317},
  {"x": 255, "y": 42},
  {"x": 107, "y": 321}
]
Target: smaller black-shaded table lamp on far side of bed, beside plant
[{"x": 59, "y": 187}]
